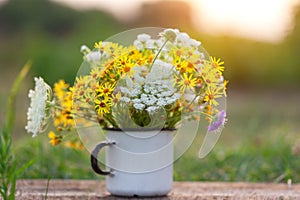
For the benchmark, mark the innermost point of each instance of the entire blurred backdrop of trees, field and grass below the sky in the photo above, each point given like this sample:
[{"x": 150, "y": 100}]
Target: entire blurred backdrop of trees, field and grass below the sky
[{"x": 261, "y": 141}]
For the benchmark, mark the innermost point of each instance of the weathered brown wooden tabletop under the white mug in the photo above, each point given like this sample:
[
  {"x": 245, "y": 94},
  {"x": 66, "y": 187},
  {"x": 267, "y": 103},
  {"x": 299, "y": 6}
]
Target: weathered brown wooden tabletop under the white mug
[{"x": 90, "y": 189}]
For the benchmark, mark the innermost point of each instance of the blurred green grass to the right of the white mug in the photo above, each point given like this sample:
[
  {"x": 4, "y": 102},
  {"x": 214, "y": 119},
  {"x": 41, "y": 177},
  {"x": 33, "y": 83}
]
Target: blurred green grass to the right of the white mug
[{"x": 271, "y": 161}]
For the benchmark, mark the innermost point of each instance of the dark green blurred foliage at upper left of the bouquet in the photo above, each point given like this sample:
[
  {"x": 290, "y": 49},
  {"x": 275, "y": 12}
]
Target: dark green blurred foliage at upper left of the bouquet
[{"x": 50, "y": 35}]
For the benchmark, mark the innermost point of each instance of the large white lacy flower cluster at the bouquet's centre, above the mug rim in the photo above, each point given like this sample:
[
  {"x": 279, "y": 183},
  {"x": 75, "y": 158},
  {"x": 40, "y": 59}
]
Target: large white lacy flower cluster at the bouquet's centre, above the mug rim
[{"x": 151, "y": 92}]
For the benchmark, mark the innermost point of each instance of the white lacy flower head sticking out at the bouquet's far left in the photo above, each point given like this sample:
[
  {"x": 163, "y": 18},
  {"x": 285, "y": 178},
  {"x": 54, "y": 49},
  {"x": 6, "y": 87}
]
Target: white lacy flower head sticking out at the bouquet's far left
[{"x": 36, "y": 114}]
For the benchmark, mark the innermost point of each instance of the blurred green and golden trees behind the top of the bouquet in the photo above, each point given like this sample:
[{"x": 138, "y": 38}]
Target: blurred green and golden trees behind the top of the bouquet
[{"x": 51, "y": 35}]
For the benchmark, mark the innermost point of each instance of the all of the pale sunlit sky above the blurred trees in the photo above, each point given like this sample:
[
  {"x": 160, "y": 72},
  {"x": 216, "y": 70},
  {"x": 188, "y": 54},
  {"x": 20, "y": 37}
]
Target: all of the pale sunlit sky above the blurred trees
[{"x": 264, "y": 20}]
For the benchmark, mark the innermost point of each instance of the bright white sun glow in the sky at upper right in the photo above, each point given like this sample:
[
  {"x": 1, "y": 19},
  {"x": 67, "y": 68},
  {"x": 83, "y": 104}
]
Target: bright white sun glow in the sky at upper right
[{"x": 267, "y": 20}]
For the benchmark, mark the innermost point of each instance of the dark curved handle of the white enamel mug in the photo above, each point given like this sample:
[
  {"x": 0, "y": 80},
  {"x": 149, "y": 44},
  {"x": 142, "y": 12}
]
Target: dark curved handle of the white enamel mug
[{"x": 94, "y": 160}]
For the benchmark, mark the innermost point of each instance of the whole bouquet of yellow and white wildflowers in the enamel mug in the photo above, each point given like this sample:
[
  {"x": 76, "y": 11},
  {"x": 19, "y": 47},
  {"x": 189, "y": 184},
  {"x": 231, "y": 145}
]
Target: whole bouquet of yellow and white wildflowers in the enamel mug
[{"x": 152, "y": 83}]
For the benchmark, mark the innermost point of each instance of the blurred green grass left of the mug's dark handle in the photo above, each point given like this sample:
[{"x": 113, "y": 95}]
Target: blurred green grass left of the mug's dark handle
[{"x": 53, "y": 162}]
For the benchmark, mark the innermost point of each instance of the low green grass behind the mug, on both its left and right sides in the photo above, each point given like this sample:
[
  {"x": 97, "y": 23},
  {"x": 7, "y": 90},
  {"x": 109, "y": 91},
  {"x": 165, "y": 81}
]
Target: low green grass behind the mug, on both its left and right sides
[{"x": 259, "y": 159}]
